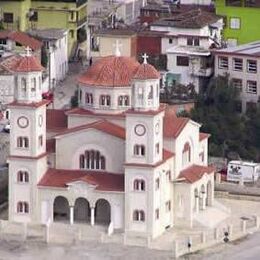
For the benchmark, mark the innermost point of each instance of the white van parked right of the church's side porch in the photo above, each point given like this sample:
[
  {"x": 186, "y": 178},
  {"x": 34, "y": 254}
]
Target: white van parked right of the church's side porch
[{"x": 243, "y": 171}]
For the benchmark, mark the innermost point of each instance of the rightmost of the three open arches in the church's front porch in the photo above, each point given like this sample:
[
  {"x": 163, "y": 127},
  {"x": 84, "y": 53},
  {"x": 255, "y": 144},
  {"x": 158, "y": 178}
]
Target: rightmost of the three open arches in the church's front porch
[{"x": 102, "y": 212}]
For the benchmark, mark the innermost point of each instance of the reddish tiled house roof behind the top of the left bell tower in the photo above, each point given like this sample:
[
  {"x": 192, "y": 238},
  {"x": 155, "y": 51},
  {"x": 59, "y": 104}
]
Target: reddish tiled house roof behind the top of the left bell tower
[{"x": 22, "y": 38}]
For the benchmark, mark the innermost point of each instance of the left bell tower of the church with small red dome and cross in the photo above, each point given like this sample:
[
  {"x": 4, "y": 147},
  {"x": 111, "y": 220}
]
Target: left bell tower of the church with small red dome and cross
[{"x": 27, "y": 160}]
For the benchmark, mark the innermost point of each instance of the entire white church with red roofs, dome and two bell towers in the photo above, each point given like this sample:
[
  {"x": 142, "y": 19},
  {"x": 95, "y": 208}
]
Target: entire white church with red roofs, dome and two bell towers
[{"x": 123, "y": 159}]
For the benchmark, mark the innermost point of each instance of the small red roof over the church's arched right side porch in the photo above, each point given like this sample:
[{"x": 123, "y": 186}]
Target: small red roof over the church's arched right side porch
[{"x": 195, "y": 172}]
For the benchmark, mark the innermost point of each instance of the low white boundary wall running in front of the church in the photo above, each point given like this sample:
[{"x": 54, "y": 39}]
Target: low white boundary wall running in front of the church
[{"x": 180, "y": 245}]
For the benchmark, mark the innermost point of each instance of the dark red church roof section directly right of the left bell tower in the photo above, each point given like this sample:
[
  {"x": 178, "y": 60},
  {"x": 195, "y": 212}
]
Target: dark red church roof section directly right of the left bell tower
[{"x": 56, "y": 120}]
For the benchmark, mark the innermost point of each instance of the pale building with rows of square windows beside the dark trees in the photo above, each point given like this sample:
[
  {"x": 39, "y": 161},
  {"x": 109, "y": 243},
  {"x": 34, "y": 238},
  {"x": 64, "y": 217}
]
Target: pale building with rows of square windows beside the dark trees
[{"x": 242, "y": 64}]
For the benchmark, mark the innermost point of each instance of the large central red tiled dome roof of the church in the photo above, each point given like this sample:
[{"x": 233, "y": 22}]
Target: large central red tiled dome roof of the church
[{"x": 110, "y": 71}]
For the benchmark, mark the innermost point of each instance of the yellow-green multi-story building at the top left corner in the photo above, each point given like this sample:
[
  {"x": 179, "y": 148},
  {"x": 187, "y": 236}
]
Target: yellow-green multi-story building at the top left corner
[{"x": 33, "y": 14}]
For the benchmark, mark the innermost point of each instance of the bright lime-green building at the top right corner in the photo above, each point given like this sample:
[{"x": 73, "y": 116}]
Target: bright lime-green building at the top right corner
[{"x": 241, "y": 20}]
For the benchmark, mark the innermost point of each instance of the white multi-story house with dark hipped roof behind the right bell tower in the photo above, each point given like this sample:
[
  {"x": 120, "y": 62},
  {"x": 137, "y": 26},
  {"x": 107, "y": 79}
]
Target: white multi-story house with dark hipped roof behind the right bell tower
[{"x": 187, "y": 44}]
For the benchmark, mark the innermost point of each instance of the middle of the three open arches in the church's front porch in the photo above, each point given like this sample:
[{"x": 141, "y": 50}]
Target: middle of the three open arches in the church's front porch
[{"x": 81, "y": 210}]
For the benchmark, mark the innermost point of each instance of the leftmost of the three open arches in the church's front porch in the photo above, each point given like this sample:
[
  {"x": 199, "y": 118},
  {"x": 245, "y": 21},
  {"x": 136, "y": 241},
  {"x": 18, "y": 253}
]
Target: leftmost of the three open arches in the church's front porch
[{"x": 61, "y": 210}]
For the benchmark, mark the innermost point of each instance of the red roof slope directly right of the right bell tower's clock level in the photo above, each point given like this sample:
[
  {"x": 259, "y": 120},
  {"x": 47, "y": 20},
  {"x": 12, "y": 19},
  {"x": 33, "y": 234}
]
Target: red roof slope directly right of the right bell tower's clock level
[{"x": 172, "y": 125}]
